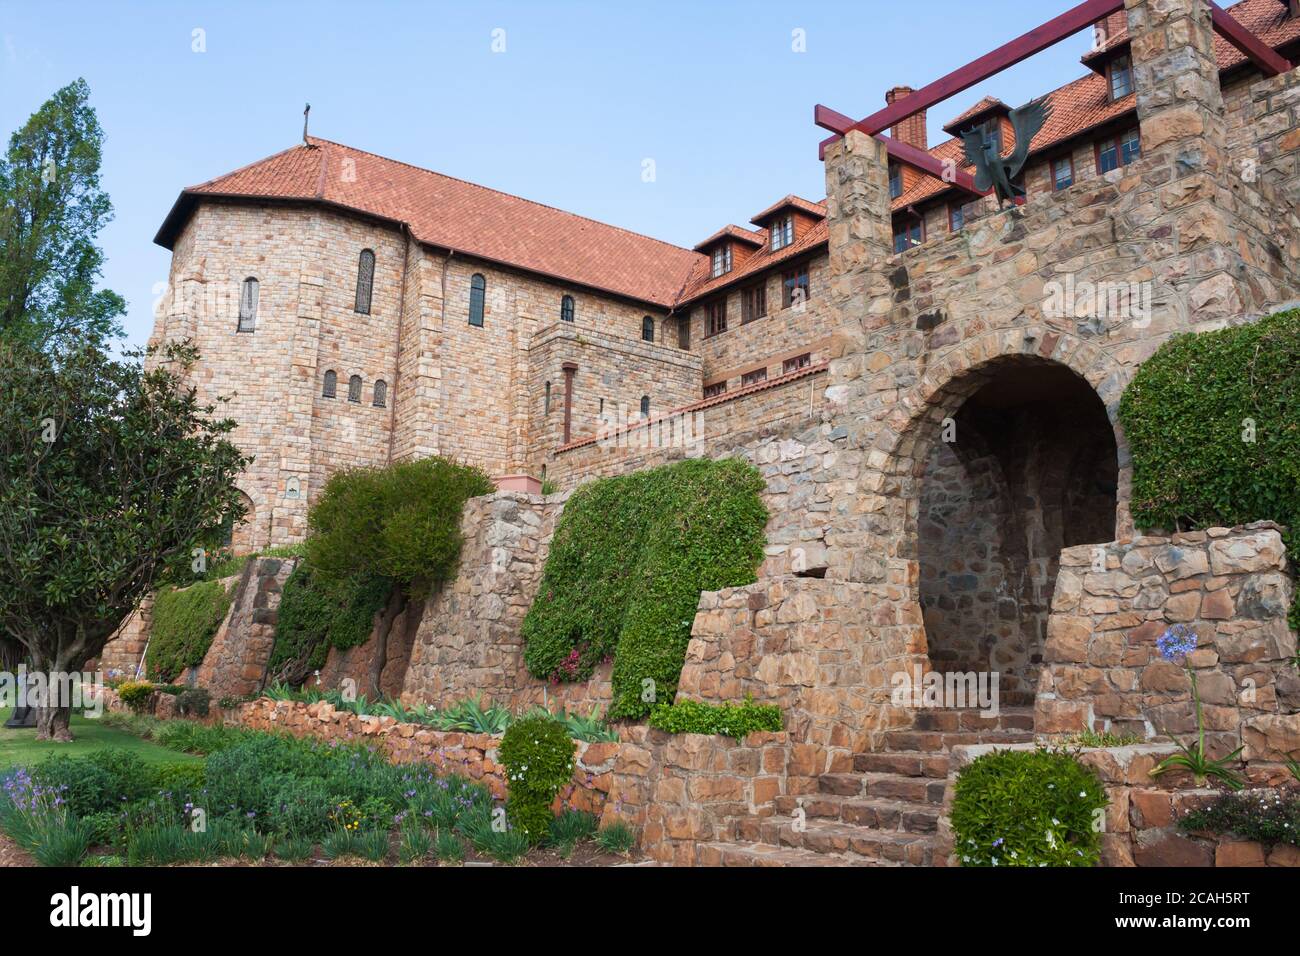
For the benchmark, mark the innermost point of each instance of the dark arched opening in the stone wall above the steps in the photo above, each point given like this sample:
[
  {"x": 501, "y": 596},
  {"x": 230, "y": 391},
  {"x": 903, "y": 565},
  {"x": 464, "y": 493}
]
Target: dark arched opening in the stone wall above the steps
[{"x": 1021, "y": 468}]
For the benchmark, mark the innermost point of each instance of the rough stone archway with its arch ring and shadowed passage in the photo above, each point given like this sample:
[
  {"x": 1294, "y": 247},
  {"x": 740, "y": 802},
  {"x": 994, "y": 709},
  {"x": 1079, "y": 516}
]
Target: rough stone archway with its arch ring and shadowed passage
[{"x": 981, "y": 383}]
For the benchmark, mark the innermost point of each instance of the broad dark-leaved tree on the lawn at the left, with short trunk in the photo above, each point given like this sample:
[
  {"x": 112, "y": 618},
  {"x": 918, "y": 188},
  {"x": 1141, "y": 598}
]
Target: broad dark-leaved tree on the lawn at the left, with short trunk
[{"x": 110, "y": 473}]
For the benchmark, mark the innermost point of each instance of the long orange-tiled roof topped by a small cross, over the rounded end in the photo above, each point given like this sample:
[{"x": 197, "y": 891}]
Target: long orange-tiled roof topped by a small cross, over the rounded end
[{"x": 452, "y": 214}]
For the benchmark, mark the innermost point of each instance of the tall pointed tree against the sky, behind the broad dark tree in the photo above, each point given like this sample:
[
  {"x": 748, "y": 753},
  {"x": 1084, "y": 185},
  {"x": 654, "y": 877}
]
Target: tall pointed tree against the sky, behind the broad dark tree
[{"x": 51, "y": 211}]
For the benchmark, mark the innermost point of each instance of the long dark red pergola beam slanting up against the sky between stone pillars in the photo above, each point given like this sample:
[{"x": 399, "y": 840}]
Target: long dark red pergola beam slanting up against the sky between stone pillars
[{"x": 989, "y": 66}]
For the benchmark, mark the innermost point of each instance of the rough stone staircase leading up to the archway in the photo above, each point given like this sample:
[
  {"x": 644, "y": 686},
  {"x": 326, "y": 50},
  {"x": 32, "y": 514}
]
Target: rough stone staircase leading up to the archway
[{"x": 885, "y": 814}]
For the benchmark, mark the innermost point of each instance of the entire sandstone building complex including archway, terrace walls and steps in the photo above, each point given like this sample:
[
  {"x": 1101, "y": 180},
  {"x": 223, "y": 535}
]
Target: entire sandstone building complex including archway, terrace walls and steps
[{"x": 929, "y": 384}]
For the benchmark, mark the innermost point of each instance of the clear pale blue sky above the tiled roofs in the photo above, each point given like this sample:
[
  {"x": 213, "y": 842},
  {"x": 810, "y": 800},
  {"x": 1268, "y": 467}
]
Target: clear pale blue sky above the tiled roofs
[{"x": 584, "y": 92}]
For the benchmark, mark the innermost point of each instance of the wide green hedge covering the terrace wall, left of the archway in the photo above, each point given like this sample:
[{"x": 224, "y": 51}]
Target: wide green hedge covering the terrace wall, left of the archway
[{"x": 630, "y": 560}]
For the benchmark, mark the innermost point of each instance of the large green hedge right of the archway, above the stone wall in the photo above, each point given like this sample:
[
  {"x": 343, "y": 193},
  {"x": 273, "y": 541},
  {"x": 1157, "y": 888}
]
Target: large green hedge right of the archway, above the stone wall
[{"x": 1188, "y": 417}]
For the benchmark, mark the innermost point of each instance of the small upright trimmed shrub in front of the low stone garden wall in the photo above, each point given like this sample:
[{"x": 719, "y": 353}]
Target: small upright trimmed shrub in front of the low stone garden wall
[{"x": 538, "y": 754}]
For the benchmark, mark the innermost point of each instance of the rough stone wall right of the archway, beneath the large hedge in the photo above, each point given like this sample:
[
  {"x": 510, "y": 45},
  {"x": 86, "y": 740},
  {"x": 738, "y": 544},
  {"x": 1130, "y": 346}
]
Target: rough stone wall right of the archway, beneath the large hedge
[{"x": 1232, "y": 587}]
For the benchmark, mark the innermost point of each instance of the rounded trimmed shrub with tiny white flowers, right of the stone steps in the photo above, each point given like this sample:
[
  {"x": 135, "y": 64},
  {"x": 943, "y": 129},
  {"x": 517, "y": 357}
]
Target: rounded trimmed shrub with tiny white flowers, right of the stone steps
[{"x": 1028, "y": 808}]
